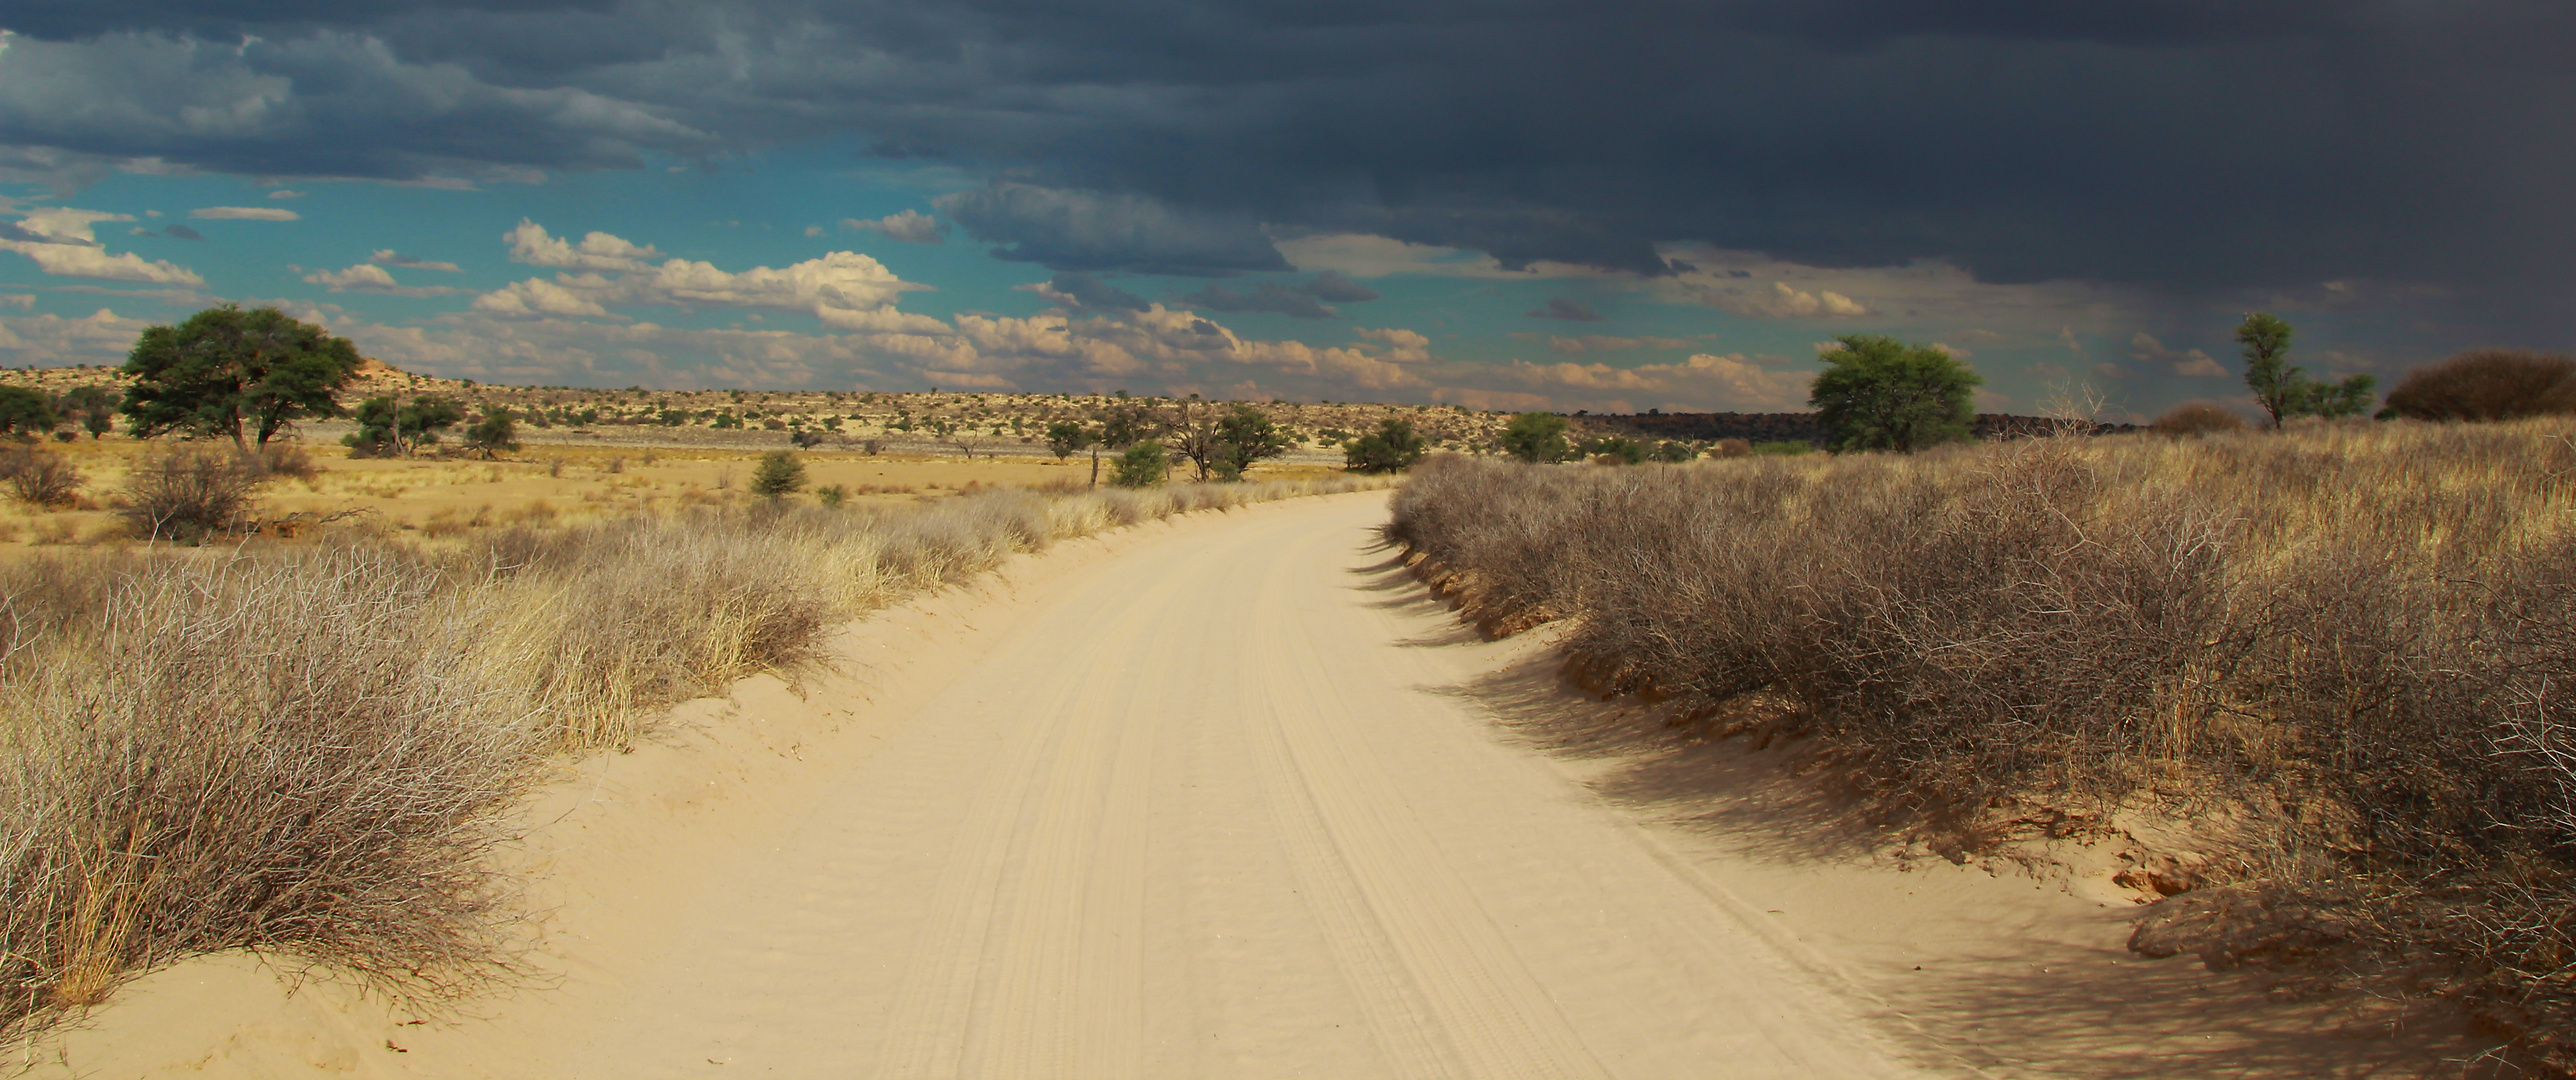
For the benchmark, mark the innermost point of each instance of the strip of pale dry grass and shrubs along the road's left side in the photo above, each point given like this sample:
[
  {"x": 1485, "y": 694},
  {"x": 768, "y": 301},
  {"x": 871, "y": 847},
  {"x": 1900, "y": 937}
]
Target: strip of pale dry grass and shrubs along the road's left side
[{"x": 313, "y": 749}]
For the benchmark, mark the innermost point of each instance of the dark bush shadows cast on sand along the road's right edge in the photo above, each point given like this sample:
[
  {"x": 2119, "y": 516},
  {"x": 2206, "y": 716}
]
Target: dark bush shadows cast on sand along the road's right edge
[{"x": 1995, "y": 1004}]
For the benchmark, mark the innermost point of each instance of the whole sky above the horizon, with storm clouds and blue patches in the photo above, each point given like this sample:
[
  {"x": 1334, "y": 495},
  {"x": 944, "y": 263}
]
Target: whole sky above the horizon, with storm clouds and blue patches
[{"x": 1498, "y": 205}]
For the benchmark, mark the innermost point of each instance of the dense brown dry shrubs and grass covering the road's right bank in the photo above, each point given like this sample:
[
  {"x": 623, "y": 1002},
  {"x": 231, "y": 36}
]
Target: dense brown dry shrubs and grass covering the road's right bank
[{"x": 2356, "y": 638}]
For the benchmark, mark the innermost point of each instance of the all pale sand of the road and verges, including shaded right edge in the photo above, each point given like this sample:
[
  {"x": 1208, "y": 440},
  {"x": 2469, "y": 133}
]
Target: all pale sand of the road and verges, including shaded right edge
[{"x": 1220, "y": 798}]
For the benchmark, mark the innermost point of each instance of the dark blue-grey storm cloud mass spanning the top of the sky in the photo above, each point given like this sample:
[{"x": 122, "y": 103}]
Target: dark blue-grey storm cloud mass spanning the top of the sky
[{"x": 2183, "y": 146}]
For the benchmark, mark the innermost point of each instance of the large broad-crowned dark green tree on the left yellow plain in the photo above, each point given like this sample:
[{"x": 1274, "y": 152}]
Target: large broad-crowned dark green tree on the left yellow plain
[{"x": 231, "y": 370}]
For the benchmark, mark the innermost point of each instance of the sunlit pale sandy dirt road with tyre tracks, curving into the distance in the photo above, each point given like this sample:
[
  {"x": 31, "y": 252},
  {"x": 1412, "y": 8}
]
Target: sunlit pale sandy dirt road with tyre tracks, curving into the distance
[{"x": 1209, "y": 808}]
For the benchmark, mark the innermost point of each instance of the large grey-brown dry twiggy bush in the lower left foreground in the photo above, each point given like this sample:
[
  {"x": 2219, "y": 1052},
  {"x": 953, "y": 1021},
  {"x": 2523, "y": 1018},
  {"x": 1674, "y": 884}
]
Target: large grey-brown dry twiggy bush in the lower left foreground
[{"x": 298, "y": 757}]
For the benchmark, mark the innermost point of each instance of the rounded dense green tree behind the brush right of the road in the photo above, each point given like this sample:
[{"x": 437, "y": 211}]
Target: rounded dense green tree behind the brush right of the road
[{"x": 1884, "y": 396}]
